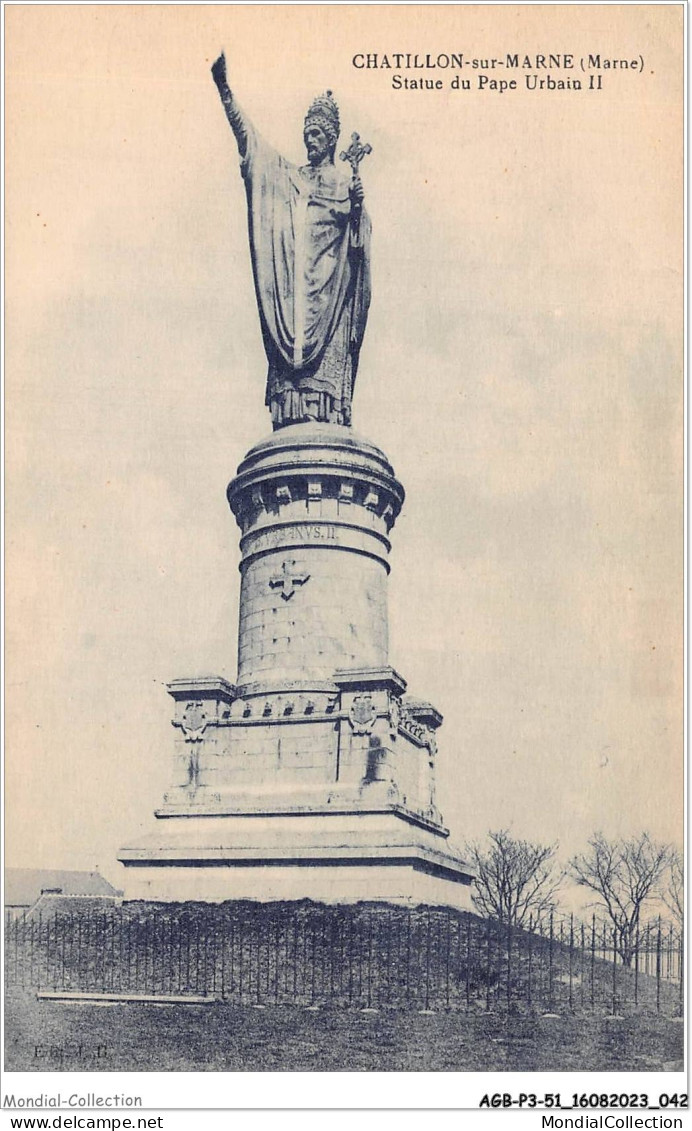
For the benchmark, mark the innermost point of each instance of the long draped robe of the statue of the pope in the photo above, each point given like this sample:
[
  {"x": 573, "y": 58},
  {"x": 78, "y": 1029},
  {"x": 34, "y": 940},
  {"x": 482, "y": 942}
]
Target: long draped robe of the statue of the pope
[{"x": 312, "y": 265}]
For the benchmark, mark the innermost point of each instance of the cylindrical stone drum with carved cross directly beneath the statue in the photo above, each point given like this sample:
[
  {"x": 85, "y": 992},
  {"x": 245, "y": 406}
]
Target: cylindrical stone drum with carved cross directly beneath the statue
[{"x": 316, "y": 505}]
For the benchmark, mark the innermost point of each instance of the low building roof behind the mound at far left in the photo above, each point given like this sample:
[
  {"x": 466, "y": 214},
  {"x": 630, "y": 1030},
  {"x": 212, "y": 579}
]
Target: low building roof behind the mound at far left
[{"x": 30, "y": 890}]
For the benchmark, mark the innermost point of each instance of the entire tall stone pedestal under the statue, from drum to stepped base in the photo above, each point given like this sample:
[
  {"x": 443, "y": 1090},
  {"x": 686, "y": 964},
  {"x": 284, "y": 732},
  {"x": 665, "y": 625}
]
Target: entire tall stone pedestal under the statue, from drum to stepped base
[{"x": 314, "y": 775}]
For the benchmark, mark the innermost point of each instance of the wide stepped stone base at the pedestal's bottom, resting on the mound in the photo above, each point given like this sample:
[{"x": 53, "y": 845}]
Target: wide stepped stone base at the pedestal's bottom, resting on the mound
[{"x": 334, "y": 859}]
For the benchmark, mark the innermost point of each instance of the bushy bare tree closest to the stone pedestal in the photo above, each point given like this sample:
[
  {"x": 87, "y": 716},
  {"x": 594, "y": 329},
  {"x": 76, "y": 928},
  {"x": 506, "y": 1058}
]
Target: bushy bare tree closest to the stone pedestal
[{"x": 516, "y": 882}]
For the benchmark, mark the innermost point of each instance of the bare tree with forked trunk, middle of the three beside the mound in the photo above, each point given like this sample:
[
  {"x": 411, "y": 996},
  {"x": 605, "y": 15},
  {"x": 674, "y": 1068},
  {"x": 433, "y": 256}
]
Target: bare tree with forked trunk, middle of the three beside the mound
[{"x": 626, "y": 875}]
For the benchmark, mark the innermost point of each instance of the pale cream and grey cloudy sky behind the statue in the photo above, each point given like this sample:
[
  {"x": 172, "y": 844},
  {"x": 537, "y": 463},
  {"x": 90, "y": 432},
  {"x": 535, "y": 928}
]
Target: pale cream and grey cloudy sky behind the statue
[{"x": 522, "y": 369}]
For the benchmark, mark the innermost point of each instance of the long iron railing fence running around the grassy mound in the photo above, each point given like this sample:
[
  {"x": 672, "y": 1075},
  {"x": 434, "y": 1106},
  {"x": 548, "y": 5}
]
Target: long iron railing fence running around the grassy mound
[{"x": 364, "y": 957}]
